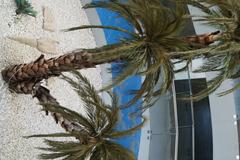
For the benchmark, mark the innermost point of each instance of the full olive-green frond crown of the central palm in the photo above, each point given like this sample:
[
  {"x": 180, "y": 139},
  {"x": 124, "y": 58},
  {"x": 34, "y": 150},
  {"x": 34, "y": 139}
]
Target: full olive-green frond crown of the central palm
[{"x": 146, "y": 51}]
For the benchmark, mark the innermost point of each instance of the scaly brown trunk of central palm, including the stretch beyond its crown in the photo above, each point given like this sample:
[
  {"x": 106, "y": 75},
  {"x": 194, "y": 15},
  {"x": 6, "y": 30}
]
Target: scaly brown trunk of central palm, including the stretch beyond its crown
[{"x": 22, "y": 78}]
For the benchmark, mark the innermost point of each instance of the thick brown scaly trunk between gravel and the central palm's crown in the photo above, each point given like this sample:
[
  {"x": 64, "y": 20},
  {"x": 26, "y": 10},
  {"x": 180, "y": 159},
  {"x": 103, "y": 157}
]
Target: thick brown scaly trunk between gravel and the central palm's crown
[{"x": 43, "y": 69}]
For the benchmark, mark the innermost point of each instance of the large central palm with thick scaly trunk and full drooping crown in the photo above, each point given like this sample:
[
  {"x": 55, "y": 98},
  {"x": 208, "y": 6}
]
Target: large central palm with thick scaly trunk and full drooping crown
[{"x": 148, "y": 51}]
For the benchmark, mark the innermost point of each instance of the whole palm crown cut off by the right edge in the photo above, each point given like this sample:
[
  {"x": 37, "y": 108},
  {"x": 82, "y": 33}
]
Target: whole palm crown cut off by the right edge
[{"x": 222, "y": 57}]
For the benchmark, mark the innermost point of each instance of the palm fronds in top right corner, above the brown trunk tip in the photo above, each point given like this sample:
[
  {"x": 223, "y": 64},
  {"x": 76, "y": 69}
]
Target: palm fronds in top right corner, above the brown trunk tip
[{"x": 223, "y": 15}]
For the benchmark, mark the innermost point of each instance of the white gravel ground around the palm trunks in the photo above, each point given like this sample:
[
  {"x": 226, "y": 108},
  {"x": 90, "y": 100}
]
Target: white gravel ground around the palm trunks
[{"x": 19, "y": 114}]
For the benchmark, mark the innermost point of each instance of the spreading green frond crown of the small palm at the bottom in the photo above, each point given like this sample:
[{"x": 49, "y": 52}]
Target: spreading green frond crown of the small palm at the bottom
[{"x": 95, "y": 133}]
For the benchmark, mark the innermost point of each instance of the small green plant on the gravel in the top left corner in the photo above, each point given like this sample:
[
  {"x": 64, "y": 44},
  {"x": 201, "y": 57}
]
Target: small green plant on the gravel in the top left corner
[{"x": 24, "y": 7}]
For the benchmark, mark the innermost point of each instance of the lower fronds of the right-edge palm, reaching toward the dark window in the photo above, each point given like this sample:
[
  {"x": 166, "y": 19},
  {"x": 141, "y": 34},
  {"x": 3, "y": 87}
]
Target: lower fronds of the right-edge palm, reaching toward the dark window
[{"x": 225, "y": 66}]
